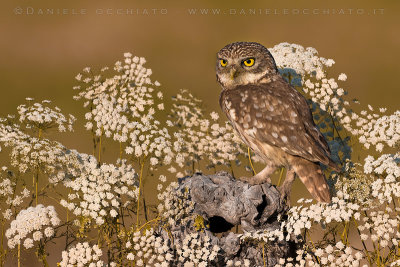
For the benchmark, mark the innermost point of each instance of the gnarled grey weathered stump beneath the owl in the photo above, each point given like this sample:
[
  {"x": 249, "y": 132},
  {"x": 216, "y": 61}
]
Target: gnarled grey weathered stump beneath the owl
[{"x": 225, "y": 203}]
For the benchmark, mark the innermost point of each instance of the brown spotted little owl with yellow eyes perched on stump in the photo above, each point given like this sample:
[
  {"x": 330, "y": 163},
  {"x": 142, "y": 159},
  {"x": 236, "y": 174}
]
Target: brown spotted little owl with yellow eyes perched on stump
[{"x": 272, "y": 118}]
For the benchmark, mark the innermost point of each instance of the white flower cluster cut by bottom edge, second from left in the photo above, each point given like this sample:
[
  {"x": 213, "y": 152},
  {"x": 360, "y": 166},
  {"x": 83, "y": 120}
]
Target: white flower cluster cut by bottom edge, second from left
[{"x": 149, "y": 250}]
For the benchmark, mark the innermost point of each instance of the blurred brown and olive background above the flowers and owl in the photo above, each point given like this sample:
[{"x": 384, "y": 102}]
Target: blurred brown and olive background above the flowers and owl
[{"x": 42, "y": 53}]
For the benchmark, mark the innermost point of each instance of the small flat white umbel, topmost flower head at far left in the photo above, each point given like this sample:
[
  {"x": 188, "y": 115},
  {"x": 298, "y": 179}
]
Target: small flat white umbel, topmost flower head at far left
[{"x": 40, "y": 116}]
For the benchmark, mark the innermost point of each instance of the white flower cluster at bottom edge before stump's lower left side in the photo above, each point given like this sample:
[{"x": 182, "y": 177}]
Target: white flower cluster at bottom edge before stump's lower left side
[{"x": 196, "y": 250}]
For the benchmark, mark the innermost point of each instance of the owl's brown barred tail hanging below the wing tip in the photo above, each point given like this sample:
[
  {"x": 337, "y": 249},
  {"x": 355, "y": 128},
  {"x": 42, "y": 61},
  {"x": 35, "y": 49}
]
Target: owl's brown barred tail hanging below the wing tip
[{"x": 311, "y": 175}]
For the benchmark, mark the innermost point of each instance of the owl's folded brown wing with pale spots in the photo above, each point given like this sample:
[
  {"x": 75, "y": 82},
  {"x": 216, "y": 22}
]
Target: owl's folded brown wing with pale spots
[{"x": 277, "y": 117}]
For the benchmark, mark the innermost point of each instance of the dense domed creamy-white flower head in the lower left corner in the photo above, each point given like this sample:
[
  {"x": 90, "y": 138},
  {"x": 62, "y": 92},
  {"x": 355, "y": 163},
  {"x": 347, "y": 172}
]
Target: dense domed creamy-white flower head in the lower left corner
[{"x": 32, "y": 220}]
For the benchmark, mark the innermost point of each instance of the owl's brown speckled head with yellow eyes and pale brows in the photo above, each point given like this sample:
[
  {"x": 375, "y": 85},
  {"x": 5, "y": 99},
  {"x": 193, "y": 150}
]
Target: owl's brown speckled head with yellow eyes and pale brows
[{"x": 243, "y": 63}]
